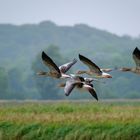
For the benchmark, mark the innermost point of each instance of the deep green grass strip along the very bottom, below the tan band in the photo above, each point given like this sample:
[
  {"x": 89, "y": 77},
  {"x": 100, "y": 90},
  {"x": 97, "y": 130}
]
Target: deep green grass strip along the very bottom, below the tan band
[{"x": 11, "y": 131}]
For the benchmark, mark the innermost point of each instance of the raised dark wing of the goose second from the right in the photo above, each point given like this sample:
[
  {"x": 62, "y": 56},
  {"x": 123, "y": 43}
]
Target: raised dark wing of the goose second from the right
[{"x": 92, "y": 66}]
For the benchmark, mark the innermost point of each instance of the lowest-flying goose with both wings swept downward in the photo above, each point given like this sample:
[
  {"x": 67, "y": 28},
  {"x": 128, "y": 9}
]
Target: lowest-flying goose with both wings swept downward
[{"x": 80, "y": 83}]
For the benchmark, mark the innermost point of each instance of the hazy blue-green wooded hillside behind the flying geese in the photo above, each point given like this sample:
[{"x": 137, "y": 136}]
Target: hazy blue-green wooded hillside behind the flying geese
[{"x": 20, "y": 59}]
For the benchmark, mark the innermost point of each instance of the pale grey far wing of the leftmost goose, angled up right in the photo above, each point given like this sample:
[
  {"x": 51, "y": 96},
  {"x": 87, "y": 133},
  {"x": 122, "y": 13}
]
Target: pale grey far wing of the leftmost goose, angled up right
[{"x": 64, "y": 68}]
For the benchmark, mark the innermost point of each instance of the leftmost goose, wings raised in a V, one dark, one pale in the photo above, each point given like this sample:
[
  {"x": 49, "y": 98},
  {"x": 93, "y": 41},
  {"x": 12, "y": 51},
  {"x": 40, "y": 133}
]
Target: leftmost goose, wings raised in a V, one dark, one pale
[{"x": 55, "y": 71}]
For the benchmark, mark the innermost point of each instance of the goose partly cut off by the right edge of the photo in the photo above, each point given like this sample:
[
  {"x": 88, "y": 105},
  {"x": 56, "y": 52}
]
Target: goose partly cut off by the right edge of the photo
[{"x": 136, "y": 58}]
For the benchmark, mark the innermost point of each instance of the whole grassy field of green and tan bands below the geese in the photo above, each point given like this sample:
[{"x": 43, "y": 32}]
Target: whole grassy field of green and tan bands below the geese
[{"x": 70, "y": 120}]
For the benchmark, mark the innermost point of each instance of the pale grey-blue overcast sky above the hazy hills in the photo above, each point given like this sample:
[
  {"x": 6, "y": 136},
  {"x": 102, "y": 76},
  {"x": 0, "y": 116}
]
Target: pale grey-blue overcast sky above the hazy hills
[{"x": 121, "y": 17}]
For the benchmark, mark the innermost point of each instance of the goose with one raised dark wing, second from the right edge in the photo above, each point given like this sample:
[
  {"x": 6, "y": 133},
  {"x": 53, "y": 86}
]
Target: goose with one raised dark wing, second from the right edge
[{"x": 94, "y": 70}]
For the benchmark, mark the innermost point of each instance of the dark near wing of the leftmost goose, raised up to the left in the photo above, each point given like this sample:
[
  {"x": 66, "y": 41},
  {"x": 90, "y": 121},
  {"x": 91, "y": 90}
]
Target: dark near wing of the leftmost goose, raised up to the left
[{"x": 49, "y": 62}]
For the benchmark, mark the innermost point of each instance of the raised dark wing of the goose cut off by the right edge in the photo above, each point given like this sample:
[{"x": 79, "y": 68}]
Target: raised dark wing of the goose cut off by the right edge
[{"x": 136, "y": 57}]
